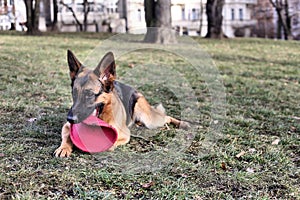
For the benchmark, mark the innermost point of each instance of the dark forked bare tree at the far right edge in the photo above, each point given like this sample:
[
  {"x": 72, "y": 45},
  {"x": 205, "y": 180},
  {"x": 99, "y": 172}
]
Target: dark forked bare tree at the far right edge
[{"x": 281, "y": 7}]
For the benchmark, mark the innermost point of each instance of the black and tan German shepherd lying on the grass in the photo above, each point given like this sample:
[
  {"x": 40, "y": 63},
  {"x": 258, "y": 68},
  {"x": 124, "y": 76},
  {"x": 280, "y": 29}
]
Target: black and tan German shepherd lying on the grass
[{"x": 98, "y": 92}]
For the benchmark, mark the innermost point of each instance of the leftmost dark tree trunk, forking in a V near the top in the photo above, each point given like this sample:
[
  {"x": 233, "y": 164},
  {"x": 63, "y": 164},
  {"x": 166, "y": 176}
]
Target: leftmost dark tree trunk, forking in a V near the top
[{"x": 33, "y": 13}]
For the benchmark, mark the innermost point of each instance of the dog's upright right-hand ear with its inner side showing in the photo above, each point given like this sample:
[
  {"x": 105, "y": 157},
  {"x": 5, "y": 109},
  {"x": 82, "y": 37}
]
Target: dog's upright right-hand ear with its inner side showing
[{"x": 106, "y": 70}]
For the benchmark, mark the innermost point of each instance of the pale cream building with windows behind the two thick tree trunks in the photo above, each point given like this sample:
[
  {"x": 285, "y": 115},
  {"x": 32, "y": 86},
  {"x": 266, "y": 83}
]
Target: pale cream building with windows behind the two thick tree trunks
[{"x": 189, "y": 17}]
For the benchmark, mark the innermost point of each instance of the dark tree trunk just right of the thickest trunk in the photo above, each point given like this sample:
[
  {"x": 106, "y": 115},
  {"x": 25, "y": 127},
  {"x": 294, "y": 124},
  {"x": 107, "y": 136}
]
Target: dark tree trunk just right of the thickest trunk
[{"x": 214, "y": 18}]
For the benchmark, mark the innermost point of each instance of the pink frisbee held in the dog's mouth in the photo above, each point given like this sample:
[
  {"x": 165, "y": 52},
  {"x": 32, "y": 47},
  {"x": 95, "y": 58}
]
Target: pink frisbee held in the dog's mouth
[{"x": 93, "y": 135}]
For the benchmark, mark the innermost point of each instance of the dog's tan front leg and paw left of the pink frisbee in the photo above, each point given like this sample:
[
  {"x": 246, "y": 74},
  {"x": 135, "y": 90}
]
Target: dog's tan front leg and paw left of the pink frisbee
[{"x": 66, "y": 145}]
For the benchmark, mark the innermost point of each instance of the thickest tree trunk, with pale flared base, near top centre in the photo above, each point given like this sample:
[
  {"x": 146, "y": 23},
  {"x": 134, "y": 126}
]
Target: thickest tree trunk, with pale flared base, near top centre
[{"x": 158, "y": 21}]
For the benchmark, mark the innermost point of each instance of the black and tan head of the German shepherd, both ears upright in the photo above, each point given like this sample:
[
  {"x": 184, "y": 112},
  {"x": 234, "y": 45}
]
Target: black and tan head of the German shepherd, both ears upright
[{"x": 89, "y": 85}]
